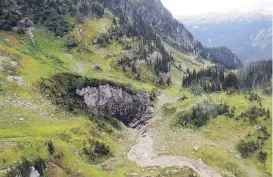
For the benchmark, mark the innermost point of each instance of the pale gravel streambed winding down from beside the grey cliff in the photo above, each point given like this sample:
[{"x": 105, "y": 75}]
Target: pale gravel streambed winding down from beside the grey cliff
[{"x": 144, "y": 154}]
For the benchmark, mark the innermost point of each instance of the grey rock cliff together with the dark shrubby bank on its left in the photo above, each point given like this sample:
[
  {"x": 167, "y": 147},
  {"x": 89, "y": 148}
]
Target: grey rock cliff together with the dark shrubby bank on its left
[{"x": 82, "y": 95}]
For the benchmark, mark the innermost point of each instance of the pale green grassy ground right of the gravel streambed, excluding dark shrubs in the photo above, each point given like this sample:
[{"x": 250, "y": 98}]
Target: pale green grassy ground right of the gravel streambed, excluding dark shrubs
[{"x": 217, "y": 141}]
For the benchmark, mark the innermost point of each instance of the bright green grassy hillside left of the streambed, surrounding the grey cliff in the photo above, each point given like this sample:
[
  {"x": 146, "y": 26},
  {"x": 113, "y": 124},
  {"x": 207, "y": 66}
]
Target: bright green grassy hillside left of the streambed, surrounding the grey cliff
[{"x": 29, "y": 119}]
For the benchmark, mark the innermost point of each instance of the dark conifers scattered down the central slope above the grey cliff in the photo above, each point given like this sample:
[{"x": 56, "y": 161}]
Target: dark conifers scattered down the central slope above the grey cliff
[{"x": 150, "y": 48}]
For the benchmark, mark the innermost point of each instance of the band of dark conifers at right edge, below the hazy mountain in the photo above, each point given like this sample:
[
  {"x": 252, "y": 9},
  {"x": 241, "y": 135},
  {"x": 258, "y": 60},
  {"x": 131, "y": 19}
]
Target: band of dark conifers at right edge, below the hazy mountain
[{"x": 218, "y": 78}]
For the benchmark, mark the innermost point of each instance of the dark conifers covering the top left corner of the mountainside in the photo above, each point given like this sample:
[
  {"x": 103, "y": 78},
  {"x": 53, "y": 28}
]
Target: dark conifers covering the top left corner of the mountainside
[{"x": 24, "y": 13}]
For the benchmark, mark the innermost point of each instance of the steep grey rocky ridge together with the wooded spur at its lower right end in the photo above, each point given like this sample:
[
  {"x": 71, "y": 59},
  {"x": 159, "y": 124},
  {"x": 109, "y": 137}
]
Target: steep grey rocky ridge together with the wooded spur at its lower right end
[{"x": 153, "y": 14}]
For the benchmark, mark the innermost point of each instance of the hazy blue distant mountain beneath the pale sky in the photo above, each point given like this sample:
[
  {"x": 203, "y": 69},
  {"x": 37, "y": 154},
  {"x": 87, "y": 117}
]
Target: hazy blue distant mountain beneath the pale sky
[{"x": 247, "y": 34}]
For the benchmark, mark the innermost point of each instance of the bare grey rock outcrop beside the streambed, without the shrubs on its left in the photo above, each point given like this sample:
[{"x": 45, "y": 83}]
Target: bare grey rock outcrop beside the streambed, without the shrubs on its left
[{"x": 131, "y": 109}]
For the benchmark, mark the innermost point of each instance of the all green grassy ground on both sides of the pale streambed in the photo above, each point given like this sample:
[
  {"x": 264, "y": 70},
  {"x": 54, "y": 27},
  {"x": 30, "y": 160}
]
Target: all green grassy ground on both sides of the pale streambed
[{"x": 28, "y": 118}]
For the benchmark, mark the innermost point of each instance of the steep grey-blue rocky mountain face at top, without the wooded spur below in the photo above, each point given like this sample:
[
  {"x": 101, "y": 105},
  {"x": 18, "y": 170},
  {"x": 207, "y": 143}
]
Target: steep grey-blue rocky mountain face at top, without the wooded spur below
[{"x": 155, "y": 15}]
